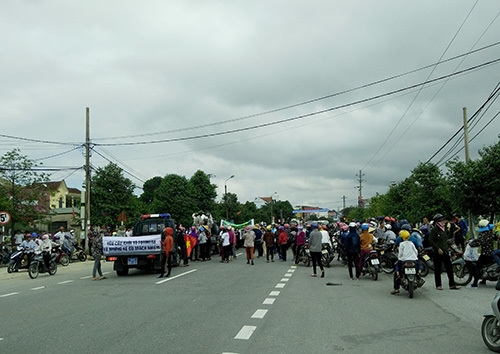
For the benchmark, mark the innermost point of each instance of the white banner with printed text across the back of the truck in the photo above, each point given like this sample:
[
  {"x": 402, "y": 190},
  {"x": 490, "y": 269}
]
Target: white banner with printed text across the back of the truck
[{"x": 117, "y": 246}]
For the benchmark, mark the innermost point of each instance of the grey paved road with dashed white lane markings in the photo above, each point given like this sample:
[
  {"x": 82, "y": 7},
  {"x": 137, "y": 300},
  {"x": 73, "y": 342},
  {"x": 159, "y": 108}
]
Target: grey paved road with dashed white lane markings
[{"x": 233, "y": 308}]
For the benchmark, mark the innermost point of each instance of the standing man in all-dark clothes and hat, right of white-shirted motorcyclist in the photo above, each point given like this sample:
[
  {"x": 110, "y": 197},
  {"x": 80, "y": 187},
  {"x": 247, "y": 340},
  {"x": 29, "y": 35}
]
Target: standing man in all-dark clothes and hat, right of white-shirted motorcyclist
[{"x": 438, "y": 238}]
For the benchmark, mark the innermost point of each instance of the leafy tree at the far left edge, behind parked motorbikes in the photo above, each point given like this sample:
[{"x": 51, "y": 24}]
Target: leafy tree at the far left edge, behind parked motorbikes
[{"x": 21, "y": 192}]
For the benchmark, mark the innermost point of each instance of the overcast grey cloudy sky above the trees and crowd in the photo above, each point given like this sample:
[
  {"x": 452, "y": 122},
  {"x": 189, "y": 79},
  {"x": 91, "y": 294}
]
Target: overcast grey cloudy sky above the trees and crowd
[{"x": 293, "y": 98}]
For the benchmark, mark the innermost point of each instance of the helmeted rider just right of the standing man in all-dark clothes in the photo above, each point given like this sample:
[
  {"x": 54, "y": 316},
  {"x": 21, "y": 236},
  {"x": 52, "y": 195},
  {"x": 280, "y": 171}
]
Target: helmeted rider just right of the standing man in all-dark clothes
[{"x": 485, "y": 240}]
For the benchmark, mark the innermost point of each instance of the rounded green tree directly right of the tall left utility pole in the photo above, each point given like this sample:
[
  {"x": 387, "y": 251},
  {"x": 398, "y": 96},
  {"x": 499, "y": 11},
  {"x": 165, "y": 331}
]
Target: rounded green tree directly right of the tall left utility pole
[{"x": 111, "y": 193}]
